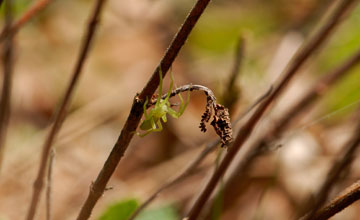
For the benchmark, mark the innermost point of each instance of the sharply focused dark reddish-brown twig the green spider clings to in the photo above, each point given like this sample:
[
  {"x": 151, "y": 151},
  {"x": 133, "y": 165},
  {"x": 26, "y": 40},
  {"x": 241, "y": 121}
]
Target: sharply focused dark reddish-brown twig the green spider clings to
[{"x": 136, "y": 112}]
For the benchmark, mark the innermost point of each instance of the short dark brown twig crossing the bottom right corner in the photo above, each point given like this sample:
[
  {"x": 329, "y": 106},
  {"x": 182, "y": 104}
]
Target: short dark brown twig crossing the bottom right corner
[{"x": 345, "y": 199}]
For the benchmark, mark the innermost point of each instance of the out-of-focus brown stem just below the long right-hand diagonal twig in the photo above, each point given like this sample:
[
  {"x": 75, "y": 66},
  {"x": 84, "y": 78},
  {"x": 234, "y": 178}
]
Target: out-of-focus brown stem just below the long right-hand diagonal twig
[{"x": 263, "y": 144}]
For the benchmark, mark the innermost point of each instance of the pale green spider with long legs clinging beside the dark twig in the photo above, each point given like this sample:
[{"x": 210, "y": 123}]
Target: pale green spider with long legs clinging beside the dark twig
[{"x": 152, "y": 121}]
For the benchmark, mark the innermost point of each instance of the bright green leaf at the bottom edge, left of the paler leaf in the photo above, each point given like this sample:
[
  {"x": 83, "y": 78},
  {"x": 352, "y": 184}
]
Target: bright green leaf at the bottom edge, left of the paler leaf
[{"x": 121, "y": 210}]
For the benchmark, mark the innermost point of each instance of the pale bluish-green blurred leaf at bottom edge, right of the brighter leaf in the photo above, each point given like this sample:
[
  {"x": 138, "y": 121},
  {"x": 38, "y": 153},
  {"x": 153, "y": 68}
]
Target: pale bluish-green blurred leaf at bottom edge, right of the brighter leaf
[{"x": 167, "y": 212}]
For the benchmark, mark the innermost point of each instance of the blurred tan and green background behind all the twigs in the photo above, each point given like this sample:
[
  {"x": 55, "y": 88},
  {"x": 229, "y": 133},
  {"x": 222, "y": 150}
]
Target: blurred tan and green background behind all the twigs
[{"x": 132, "y": 37}]
